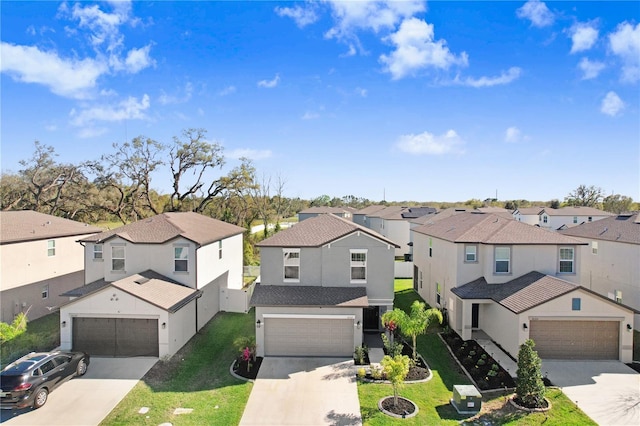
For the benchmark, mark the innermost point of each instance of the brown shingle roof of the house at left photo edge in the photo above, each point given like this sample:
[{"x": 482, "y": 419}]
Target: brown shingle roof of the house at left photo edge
[{"x": 27, "y": 225}]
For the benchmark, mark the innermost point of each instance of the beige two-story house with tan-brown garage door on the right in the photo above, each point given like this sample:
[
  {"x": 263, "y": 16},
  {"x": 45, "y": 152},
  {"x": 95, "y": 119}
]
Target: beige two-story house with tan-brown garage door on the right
[{"x": 513, "y": 282}]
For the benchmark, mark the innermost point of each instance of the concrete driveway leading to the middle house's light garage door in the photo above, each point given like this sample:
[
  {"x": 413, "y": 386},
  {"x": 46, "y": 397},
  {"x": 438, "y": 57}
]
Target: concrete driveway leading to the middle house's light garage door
[{"x": 304, "y": 391}]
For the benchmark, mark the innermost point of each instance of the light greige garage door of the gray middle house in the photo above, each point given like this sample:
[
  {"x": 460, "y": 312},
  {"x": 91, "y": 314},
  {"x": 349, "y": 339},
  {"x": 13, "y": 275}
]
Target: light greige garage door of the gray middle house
[{"x": 308, "y": 337}]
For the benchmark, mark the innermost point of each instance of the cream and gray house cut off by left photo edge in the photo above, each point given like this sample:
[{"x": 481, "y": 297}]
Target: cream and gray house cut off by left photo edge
[{"x": 39, "y": 260}]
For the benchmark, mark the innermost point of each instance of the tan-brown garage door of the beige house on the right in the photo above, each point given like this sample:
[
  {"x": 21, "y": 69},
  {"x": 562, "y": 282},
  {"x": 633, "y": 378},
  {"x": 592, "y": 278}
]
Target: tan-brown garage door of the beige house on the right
[{"x": 575, "y": 339}]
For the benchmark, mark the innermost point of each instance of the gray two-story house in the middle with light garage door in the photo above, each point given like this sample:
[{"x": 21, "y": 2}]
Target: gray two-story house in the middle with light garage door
[{"x": 323, "y": 282}]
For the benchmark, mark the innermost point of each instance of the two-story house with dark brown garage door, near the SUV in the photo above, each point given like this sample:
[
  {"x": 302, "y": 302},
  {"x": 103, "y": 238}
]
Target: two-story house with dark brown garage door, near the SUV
[{"x": 152, "y": 284}]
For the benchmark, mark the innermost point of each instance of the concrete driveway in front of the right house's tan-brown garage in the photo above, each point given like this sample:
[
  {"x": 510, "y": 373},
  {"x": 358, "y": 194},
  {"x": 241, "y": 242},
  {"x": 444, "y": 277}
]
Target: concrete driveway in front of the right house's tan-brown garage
[{"x": 607, "y": 391}]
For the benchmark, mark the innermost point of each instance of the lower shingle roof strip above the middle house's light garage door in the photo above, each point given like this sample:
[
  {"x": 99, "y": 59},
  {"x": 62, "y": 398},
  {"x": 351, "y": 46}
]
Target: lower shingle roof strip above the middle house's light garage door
[{"x": 285, "y": 295}]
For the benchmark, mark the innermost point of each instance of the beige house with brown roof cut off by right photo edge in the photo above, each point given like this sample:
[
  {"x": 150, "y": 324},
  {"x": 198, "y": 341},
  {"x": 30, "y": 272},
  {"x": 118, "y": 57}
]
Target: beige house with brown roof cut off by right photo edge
[{"x": 611, "y": 260}]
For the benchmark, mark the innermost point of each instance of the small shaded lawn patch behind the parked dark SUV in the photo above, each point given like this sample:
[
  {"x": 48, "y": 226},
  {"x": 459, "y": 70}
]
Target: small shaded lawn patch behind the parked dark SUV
[{"x": 42, "y": 334}]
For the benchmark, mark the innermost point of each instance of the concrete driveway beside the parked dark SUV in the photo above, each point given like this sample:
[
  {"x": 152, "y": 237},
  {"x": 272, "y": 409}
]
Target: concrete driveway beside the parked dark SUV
[{"x": 86, "y": 400}]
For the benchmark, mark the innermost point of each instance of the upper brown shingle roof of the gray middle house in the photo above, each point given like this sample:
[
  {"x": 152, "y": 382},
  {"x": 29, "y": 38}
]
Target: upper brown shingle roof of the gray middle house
[{"x": 318, "y": 231}]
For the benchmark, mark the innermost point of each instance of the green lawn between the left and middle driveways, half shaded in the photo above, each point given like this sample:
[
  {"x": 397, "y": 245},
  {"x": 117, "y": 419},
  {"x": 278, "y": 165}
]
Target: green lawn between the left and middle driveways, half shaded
[{"x": 197, "y": 377}]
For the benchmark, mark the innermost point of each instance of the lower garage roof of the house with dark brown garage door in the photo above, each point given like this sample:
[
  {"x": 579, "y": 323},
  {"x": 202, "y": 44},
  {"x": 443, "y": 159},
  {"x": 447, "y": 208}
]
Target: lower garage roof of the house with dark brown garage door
[{"x": 149, "y": 286}]
